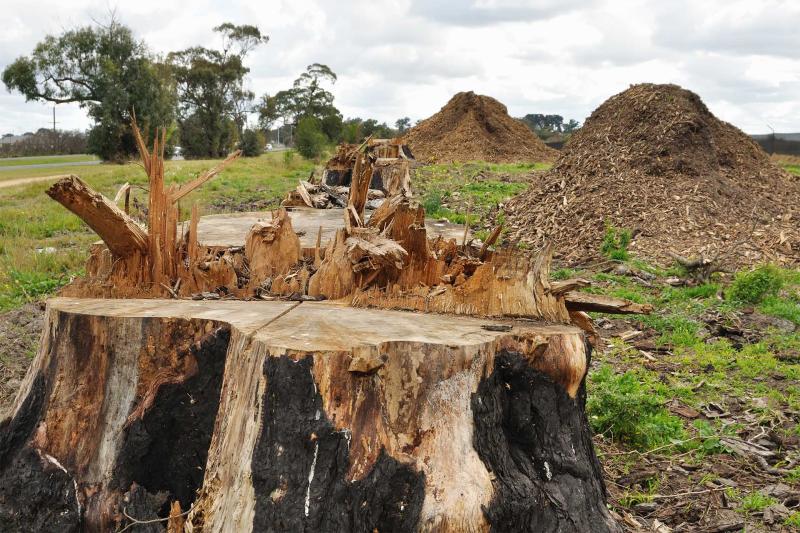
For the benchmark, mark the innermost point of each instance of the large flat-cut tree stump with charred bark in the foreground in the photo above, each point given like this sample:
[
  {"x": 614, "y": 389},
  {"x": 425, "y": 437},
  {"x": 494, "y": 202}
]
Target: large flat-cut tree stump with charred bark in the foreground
[{"x": 286, "y": 416}]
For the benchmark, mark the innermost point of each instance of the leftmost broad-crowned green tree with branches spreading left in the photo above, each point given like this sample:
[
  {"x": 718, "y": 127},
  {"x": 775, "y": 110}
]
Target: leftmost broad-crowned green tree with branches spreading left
[{"x": 108, "y": 72}]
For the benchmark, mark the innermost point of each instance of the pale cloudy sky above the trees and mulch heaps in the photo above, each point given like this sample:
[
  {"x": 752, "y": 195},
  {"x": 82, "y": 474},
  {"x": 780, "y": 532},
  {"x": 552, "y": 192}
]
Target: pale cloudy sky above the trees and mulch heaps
[{"x": 407, "y": 57}]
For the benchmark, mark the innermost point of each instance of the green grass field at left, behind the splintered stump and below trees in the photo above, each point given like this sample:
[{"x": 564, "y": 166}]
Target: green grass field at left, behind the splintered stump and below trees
[{"x": 42, "y": 244}]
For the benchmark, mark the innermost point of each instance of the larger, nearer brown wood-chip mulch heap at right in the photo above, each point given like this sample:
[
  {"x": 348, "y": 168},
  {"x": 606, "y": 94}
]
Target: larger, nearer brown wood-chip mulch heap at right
[{"x": 653, "y": 159}]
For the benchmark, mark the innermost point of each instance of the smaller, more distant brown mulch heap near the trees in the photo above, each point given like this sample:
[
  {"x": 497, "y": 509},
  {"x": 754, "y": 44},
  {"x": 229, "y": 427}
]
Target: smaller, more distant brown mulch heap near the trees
[{"x": 473, "y": 127}]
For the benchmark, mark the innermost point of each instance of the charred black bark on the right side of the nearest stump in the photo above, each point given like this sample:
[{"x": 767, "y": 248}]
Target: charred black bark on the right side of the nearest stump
[{"x": 536, "y": 441}]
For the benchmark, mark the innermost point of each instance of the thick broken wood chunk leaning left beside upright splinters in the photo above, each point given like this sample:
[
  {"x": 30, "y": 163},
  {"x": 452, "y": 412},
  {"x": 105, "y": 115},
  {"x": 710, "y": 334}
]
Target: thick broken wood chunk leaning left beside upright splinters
[{"x": 122, "y": 234}]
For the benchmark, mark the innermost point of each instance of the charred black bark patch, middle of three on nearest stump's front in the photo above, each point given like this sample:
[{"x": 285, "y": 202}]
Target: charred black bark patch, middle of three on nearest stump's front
[{"x": 301, "y": 460}]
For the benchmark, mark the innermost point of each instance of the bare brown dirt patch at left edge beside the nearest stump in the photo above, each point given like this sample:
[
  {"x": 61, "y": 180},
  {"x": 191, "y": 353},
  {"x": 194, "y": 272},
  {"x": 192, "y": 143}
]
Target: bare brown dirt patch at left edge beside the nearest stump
[{"x": 20, "y": 330}]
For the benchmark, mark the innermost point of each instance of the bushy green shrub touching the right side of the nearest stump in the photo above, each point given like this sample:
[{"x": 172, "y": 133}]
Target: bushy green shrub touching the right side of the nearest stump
[{"x": 630, "y": 410}]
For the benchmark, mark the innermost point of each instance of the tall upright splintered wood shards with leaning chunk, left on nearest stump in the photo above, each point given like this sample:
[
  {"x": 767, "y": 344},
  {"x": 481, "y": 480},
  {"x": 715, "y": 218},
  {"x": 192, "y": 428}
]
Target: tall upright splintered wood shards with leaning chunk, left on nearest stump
[{"x": 144, "y": 263}]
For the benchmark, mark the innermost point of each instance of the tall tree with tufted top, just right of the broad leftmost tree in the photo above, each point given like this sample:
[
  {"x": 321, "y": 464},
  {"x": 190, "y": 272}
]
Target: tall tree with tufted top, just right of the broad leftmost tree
[{"x": 213, "y": 100}]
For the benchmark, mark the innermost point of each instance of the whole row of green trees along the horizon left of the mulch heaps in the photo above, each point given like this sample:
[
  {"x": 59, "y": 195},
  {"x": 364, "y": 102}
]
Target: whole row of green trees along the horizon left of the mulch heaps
[{"x": 198, "y": 94}]
